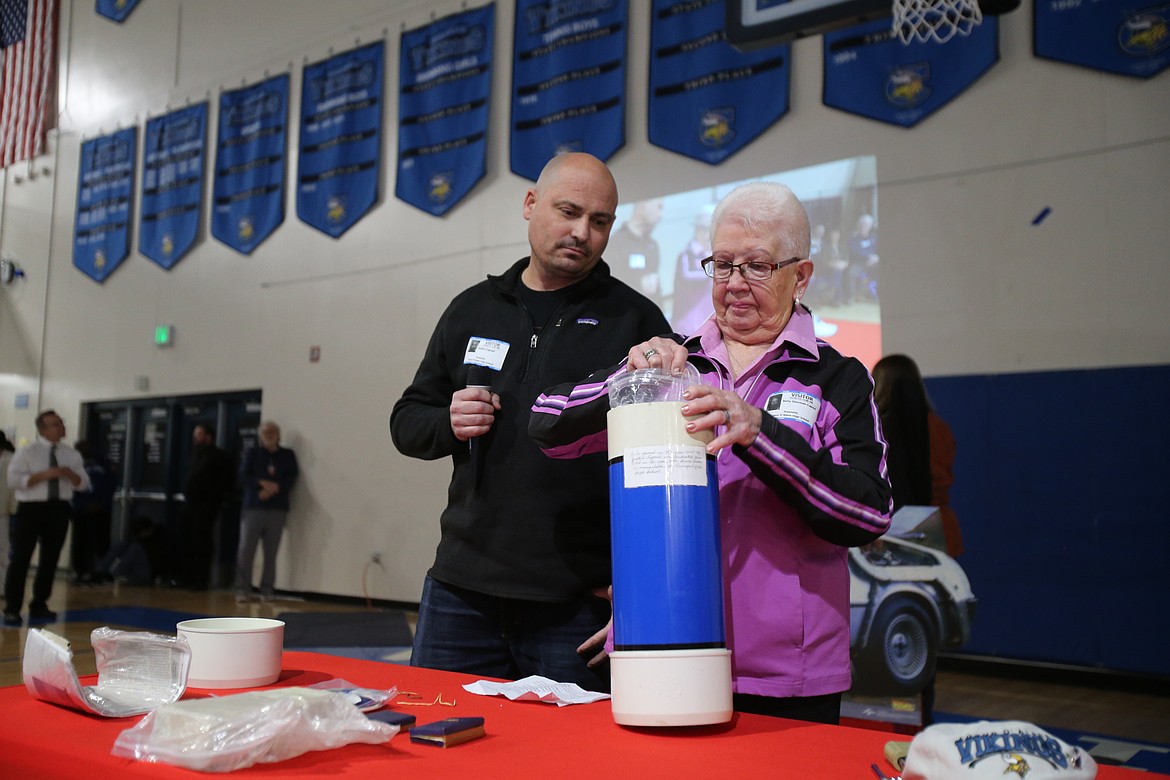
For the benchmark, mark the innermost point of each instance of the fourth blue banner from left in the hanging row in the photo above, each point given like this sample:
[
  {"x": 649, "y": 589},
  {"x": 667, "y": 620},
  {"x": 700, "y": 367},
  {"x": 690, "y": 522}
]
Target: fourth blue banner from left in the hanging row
[{"x": 341, "y": 140}]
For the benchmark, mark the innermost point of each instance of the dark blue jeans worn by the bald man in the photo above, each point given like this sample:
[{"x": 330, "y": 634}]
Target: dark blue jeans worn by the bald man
[{"x": 479, "y": 634}]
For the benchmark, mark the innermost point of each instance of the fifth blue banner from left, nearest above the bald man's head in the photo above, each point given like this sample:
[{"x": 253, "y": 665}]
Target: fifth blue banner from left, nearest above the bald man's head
[{"x": 443, "y": 109}]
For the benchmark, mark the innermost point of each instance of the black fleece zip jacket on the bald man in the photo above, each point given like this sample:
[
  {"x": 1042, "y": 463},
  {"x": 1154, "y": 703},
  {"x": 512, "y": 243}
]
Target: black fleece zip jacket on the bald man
[{"x": 536, "y": 528}]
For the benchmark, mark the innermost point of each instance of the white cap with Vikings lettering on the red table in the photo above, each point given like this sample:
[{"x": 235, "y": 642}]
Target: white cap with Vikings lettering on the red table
[{"x": 995, "y": 749}]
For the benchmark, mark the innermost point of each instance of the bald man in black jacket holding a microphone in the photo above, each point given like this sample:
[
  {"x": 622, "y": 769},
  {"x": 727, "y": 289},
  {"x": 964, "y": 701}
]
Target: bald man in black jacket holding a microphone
[{"x": 520, "y": 578}]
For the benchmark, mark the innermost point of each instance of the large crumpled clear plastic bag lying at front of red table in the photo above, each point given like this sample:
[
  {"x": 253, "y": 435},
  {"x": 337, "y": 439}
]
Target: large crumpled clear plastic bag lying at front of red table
[{"x": 230, "y": 733}]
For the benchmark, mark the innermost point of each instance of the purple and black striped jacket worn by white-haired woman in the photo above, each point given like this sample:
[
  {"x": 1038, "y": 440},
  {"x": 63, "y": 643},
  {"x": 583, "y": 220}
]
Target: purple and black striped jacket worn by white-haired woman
[{"x": 811, "y": 486}]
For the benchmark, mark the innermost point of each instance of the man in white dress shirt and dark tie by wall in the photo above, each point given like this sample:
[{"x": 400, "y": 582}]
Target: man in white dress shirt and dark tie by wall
[{"x": 45, "y": 474}]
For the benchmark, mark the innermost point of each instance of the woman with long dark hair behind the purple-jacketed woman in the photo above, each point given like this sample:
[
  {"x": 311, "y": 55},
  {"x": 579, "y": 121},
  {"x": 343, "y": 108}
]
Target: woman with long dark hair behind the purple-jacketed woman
[{"x": 921, "y": 458}]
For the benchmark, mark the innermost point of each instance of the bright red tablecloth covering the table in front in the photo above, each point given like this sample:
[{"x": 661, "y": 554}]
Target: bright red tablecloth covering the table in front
[{"x": 525, "y": 740}]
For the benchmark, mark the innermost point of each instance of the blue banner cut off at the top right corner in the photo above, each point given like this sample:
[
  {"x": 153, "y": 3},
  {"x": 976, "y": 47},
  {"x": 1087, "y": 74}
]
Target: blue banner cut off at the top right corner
[{"x": 1131, "y": 38}]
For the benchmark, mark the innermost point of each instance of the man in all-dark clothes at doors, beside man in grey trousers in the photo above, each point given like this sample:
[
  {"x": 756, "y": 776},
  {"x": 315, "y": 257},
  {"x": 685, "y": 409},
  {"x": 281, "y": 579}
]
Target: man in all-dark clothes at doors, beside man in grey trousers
[{"x": 209, "y": 481}]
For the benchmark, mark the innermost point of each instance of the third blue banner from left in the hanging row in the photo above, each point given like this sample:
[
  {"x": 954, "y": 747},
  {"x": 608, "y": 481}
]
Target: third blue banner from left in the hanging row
[{"x": 249, "y": 196}]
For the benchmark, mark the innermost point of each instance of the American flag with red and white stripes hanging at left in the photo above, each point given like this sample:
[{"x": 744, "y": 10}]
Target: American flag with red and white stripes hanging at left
[{"x": 29, "y": 81}]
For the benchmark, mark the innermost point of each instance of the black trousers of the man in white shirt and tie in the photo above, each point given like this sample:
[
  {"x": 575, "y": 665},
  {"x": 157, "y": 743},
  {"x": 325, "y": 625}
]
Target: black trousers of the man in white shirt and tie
[{"x": 44, "y": 523}]
